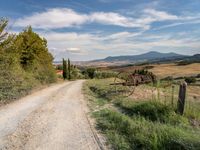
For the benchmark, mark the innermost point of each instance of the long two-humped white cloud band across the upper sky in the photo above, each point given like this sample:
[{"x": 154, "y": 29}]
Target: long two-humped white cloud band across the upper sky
[{"x": 64, "y": 17}]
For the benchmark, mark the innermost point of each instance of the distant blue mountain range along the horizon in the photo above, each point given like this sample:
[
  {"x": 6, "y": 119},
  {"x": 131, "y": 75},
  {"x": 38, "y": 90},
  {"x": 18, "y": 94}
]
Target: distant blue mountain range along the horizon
[{"x": 149, "y": 57}]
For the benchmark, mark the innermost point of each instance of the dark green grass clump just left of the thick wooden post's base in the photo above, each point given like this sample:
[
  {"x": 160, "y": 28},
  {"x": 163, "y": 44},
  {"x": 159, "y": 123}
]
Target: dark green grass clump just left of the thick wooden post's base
[{"x": 152, "y": 111}]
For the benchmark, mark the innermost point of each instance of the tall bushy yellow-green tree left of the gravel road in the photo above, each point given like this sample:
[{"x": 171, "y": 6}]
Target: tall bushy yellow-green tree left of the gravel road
[{"x": 34, "y": 56}]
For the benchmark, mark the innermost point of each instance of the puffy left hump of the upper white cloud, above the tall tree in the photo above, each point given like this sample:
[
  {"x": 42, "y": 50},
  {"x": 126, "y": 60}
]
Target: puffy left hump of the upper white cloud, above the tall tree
[{"x": 53, "y": 18}]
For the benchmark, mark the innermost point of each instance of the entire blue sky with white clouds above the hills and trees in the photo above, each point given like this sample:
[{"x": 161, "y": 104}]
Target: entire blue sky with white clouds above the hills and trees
[{"x": 88, "y": 29}]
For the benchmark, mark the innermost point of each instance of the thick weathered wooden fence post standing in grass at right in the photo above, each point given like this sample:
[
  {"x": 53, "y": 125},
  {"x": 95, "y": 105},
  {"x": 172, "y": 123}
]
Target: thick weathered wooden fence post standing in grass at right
[{"x": 181, "y": 98}]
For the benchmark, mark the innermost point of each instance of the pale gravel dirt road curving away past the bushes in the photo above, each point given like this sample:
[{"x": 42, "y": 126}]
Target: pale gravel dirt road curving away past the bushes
[{"x": 51, "y": 119}]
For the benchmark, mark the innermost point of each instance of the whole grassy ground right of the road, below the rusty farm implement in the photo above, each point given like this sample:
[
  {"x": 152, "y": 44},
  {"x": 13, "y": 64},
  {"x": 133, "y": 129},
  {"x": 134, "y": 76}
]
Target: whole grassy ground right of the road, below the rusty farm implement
[{"x": 146, "y": 120}]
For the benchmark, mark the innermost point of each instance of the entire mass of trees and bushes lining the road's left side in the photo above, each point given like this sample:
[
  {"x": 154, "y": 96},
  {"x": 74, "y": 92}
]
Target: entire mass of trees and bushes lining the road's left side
[{"x": 24, "y": 62}]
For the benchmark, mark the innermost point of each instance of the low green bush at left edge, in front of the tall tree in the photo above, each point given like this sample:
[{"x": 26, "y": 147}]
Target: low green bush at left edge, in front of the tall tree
[{"x": 14, "y": 81}]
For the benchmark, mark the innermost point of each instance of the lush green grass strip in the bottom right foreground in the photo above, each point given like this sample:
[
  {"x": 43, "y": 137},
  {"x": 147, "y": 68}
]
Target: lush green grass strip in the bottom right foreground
[{"x": 124, "y": 132}]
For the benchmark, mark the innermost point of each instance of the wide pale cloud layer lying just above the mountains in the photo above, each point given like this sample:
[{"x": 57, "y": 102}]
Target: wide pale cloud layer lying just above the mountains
[{"x": 93, "y": 46}]
